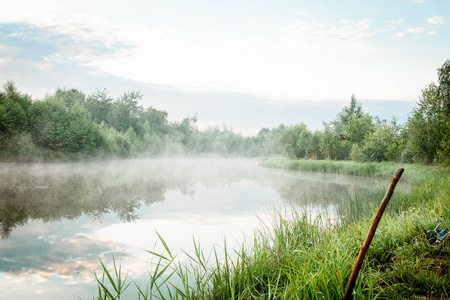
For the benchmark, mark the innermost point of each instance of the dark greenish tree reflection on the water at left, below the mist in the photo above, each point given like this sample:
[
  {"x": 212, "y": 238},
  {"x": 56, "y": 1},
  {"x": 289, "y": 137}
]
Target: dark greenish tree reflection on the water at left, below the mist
[{"x": 52, "y": 198}]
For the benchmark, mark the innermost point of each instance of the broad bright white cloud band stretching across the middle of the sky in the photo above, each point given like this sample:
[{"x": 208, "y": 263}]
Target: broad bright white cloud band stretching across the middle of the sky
[{"x": 285, "y": 63}]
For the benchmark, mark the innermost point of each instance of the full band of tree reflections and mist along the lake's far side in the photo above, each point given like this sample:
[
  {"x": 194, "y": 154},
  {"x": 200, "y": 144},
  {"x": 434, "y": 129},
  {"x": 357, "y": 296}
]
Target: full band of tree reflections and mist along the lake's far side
[{"x": 52, "y": 192}]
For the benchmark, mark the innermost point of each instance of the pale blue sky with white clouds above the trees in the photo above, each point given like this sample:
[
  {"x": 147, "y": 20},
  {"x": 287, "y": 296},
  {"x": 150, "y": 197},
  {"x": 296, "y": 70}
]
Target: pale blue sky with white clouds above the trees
[{"x": 248, "y": 64}]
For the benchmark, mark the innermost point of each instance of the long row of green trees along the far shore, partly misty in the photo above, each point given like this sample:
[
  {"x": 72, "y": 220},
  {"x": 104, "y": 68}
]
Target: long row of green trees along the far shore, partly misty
[{"x": 72, "y": 125}]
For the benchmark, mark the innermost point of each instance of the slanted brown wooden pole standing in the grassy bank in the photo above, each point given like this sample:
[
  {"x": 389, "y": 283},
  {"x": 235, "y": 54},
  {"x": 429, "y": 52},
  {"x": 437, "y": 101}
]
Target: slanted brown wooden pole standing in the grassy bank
[{"x": 370, "y": 234}]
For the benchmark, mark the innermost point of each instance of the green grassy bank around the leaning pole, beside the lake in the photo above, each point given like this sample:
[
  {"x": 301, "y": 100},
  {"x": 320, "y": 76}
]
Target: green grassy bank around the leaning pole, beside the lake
[{"x": 299, "y": 258}]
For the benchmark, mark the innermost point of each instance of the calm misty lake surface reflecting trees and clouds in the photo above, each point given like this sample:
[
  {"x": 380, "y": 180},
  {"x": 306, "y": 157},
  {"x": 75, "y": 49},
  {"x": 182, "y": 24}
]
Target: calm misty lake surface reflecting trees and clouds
[{"x": 58, "y": 219}]
